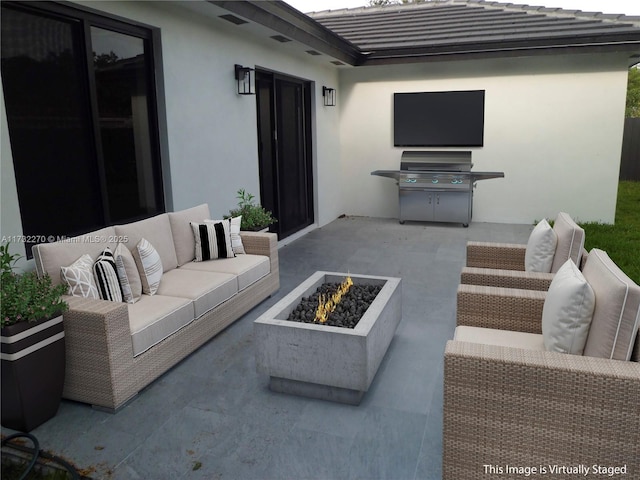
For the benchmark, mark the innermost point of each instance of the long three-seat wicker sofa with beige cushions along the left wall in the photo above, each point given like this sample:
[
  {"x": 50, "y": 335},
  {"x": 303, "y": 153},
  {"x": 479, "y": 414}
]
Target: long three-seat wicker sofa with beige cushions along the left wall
[{"x": 115, "y": 349}]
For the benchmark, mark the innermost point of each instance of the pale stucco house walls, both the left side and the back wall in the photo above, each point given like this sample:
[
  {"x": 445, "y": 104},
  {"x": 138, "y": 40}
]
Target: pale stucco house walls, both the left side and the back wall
[{"x": 553, "y": 124}]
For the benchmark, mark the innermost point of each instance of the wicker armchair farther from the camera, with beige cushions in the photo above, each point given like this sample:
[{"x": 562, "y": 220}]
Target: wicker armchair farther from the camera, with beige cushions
[{"x": 502, "y": 264}]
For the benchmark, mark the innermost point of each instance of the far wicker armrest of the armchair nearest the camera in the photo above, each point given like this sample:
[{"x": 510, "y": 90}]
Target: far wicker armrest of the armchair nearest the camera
[{"x": 500, "y": 308}]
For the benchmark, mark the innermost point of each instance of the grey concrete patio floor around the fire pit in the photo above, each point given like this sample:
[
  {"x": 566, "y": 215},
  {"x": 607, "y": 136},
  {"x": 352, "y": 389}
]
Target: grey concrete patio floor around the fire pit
[{"x": 213, "y": 417}]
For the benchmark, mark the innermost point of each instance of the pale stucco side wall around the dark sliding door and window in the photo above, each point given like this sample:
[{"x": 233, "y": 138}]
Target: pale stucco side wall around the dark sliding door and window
[{"x": 212, "y": 131}]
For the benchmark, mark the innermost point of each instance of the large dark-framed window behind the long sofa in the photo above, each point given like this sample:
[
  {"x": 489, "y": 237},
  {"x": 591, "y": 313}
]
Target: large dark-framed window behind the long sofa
[{"x": 82, "y": 116}]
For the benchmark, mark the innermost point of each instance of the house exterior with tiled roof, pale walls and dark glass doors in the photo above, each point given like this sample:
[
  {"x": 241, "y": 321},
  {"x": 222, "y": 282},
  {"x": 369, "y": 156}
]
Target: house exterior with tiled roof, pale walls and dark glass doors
[{"x": 554, "y": 82}]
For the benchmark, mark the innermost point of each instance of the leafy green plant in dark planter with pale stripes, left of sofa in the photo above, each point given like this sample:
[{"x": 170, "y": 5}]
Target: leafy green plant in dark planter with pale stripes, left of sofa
[{"x": 33, "y": 349}]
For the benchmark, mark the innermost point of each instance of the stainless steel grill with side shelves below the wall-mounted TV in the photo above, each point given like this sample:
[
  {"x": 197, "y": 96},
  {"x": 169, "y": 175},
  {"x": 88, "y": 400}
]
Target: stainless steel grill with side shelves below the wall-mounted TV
[{"x": 436, "y": 186}]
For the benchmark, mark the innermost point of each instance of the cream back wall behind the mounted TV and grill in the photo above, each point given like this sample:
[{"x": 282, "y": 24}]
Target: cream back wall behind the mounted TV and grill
[{"x": 553, "y": 125}]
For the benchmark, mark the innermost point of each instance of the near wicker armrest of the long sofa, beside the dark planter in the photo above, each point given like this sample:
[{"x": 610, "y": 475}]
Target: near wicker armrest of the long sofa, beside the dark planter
[{"x": 99, "y": 352}]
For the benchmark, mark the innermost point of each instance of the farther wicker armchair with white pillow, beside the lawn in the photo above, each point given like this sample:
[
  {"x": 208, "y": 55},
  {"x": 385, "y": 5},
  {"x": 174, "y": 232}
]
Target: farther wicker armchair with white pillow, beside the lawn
[{"x": 509, "y": 265}]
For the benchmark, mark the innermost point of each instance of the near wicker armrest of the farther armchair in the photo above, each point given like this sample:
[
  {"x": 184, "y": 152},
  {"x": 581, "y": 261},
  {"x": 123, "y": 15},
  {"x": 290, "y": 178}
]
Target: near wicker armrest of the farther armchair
[{"x": 506, "y": 278}]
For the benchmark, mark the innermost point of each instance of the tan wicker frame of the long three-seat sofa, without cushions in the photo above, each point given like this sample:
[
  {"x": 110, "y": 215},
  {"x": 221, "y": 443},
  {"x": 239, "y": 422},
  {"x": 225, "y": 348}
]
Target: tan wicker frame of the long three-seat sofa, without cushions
[{"x": 101, "y": 369}]
